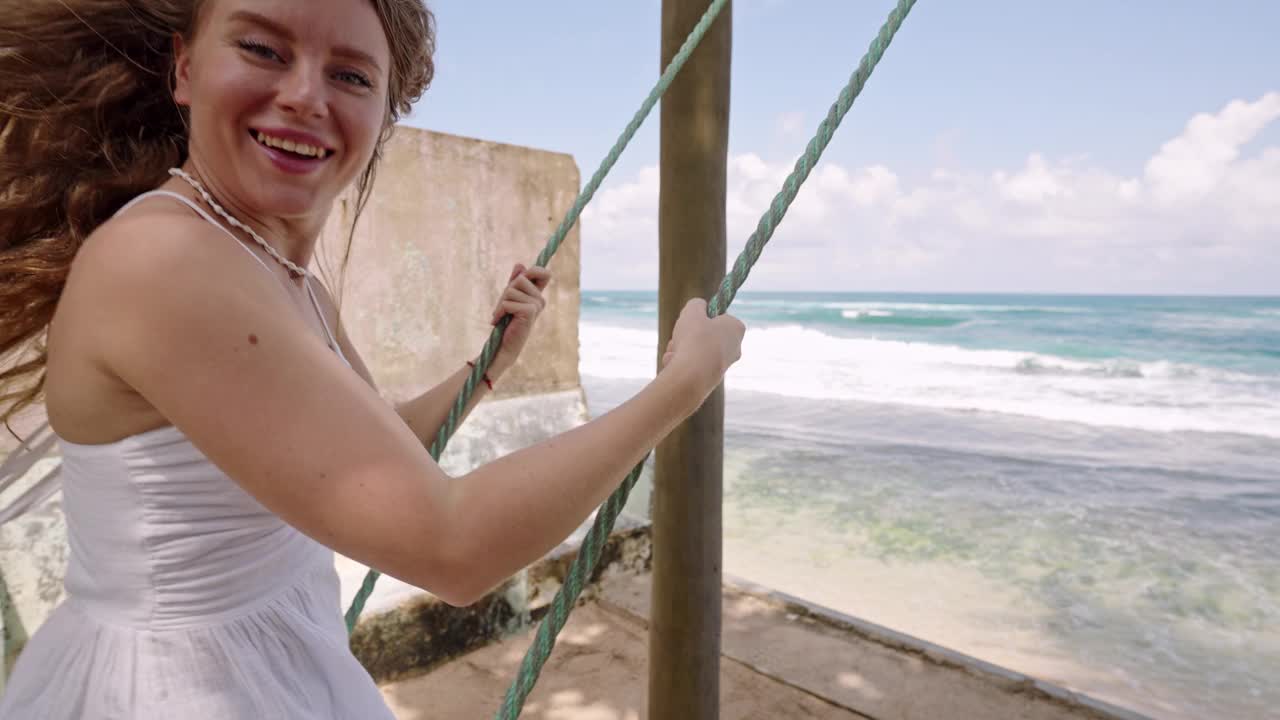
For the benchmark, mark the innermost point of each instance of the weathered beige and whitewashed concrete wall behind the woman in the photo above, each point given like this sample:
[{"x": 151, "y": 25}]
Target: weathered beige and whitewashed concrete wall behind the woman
[{"x": 435, "y": 248}]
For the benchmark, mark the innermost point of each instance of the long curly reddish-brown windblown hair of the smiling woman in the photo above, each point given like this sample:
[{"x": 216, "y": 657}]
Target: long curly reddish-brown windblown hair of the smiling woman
[{"x": 88, "y": 121}]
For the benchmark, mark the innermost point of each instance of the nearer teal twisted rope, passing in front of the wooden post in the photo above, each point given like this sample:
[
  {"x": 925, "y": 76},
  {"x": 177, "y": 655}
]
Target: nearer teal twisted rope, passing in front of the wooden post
[{"x": 605, "y": 520}]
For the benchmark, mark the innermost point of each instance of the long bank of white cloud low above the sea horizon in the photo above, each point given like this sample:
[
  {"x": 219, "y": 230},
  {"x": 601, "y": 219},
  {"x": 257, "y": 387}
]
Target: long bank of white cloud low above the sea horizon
[{"x": 1203, "y": 217}]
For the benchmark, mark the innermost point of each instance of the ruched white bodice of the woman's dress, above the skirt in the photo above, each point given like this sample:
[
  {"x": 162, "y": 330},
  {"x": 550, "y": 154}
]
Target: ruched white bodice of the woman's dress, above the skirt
[{"x": 186, "y": 545}]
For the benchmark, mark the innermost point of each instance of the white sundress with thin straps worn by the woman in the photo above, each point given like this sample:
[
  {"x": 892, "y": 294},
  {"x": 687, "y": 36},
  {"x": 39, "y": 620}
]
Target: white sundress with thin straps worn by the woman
[{"x": 186, "y": 599}]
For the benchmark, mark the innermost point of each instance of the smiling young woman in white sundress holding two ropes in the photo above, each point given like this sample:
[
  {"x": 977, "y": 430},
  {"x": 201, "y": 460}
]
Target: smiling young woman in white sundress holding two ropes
[{"x": 166, "y": 168}]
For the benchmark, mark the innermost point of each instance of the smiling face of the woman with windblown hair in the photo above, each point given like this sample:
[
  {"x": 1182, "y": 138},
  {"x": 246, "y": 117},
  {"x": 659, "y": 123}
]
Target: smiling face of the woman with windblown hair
[{"x": 287, "y": 101}]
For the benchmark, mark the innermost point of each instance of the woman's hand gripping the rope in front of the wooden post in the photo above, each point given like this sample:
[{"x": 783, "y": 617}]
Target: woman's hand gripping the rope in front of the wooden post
[{"x": 706, "y": 348}]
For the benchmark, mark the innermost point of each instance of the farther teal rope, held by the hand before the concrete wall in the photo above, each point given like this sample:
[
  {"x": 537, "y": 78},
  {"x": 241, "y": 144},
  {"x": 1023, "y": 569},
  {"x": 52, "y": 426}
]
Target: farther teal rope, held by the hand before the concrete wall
[{"x": 491, "y": 348}]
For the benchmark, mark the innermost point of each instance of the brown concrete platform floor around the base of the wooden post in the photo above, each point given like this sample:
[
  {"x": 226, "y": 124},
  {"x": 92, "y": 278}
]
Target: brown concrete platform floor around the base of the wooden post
[{"x": 780, "y": 659}]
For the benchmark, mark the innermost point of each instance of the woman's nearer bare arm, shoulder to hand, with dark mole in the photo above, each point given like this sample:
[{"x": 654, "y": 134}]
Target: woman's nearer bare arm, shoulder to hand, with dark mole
[{"x": 218, "y": 350}]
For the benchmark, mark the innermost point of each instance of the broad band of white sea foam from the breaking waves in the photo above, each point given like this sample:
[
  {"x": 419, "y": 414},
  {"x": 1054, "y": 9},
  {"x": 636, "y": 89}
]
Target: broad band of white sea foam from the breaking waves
[{"x": 808, "y": 363}]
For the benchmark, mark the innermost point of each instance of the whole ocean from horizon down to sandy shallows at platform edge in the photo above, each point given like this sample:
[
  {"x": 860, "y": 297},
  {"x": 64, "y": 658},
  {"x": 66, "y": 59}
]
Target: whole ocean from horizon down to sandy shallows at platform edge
[{"x": 1082, "y": 489}]
